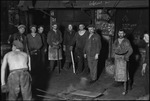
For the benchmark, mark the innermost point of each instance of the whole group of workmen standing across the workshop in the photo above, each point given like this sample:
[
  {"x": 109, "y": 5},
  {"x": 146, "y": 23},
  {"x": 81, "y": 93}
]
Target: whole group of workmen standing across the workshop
[{"x": 30, "y": 51}]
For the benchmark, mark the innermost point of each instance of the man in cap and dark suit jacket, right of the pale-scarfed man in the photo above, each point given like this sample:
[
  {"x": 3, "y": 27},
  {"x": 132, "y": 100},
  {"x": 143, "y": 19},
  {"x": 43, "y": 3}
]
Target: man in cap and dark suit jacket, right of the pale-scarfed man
[{"x": 91, "y": 51}]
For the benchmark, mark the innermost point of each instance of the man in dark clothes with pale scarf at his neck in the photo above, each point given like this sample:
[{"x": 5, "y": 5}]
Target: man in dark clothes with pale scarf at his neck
[{"x": 79, "y": 41}]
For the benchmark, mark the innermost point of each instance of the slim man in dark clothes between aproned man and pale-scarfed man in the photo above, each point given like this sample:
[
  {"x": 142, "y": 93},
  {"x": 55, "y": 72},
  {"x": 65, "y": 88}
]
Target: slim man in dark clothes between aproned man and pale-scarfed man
[{"x": 68, "y": 37}]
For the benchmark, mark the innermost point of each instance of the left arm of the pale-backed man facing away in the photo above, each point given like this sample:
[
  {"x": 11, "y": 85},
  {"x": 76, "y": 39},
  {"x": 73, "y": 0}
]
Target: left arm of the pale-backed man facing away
[{"x": 3, "y": 69}]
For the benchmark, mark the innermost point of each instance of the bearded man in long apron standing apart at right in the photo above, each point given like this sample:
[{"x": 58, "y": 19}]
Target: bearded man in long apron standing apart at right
[{"x": 121, "y": 51}]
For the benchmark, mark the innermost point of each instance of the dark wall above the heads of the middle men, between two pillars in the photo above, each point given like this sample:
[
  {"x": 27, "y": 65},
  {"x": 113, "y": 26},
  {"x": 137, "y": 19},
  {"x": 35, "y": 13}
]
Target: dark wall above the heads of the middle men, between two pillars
[{"x": 74, "y": 16}]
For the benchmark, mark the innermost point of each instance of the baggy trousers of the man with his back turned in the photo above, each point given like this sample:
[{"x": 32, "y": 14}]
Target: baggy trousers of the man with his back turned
[{"x": 19, "y": 81}]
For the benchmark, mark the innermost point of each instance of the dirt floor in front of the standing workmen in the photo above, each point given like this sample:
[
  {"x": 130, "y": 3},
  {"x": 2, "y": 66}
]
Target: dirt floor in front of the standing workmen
[{"x": 57, "y": 86}]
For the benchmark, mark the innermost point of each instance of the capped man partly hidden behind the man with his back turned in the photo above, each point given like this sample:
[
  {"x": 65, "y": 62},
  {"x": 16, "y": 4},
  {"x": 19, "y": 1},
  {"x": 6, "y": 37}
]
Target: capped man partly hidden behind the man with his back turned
[{"x": 19, "y": 36}]
